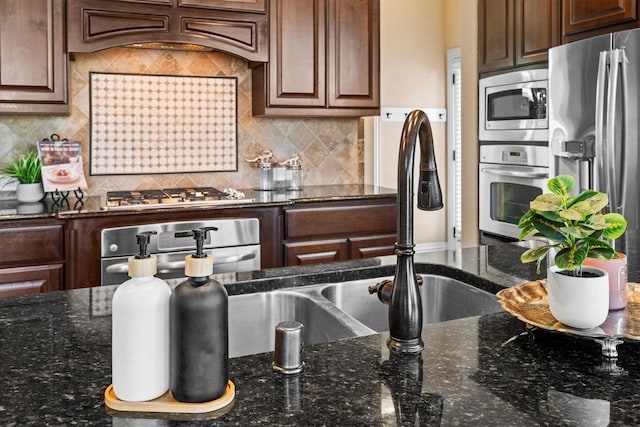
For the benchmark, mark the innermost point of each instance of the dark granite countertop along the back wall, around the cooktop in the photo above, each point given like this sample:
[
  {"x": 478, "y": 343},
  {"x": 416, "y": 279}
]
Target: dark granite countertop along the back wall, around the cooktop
[{"x": 93, "y": 205}]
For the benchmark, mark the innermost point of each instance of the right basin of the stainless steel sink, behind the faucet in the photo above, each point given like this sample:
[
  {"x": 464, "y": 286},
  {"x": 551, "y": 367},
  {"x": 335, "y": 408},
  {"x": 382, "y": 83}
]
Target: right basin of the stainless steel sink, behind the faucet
[{"x": 443, "y": 298}]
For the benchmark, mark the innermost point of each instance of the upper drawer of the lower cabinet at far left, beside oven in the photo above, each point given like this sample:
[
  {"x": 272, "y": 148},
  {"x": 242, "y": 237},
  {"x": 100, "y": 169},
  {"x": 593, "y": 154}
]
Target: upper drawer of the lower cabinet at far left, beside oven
[{"x": 31, "y": 245}]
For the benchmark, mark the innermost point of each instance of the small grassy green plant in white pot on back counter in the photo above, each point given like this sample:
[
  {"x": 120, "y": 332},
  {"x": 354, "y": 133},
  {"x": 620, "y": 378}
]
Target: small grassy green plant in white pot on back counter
[{"x": 27, "y": 169}]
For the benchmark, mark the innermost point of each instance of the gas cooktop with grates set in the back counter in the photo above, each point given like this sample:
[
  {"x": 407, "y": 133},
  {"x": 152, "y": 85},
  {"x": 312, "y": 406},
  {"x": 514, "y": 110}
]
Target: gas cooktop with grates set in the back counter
[{"x": 170, "y": 197}]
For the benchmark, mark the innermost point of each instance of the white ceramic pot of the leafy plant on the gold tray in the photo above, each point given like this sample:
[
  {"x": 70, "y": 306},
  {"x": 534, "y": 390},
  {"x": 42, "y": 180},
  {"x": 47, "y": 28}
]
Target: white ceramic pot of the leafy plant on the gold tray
[{"x": 578, "y": 302}]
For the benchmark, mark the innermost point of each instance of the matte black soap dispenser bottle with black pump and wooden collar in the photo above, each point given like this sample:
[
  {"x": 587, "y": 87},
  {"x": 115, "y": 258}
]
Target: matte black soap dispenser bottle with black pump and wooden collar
[{"x": 199, "y": 334}]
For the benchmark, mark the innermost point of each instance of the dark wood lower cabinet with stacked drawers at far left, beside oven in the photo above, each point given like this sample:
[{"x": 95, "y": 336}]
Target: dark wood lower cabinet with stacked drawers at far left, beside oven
[{"x": 32, "y": 257}]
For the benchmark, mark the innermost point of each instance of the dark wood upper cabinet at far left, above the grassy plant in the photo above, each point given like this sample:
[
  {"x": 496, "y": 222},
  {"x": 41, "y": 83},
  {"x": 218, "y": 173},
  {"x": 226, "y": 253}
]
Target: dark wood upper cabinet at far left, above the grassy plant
[{"x": 33, "y": 61}]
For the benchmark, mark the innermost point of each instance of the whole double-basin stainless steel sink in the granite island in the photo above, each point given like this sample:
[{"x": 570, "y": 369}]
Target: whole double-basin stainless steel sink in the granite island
[{"x": 334, "y": 311}]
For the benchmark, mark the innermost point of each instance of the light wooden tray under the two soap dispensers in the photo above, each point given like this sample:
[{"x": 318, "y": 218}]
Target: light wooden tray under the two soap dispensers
[{"x": 167, "y": 404}]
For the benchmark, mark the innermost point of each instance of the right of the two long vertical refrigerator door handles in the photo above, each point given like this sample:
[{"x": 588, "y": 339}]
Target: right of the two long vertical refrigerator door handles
[{"x": 609, "y": 146}]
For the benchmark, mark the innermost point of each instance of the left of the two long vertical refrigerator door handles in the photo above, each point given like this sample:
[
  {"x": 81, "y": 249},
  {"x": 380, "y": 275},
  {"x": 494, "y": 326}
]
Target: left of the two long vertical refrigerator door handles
[{"x": 597, "y": 179}]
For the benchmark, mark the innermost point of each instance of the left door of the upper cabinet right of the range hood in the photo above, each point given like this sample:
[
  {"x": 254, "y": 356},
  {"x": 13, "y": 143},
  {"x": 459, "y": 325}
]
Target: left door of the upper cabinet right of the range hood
[{"x": 297, "y": 46}]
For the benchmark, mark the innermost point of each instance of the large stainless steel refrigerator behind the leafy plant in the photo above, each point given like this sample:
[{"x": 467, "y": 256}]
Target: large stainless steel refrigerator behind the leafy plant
[{"x": 594, "y": 88}]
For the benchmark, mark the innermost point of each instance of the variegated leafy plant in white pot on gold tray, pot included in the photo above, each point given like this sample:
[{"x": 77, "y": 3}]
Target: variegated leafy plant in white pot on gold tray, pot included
[{"x": 575, "y": 229}]
